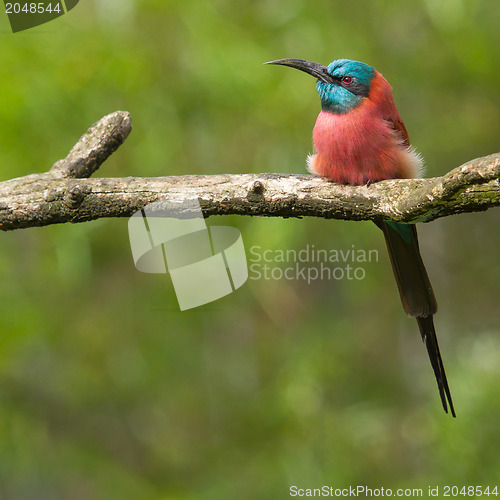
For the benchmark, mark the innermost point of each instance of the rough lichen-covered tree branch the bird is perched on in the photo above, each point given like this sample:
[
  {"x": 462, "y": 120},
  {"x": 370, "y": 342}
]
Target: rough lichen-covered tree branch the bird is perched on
[{"x": 66, "y": 194}]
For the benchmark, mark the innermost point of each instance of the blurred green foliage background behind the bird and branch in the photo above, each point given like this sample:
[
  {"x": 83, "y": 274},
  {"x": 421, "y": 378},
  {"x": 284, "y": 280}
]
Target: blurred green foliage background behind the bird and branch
[{"x": 108, "y": 391}]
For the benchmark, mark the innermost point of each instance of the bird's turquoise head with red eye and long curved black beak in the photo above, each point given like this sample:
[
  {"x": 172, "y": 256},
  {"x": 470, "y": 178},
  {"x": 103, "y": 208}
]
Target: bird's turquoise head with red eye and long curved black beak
[{"x": 342, "y": 85}]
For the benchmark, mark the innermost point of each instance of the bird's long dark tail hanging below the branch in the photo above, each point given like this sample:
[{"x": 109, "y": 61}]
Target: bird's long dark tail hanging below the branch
[{"x": 416, "y": 294}]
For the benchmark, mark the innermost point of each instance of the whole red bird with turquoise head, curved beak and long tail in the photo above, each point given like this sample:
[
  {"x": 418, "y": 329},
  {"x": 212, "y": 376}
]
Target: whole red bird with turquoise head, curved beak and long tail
[{"x": 359, "y": 138}]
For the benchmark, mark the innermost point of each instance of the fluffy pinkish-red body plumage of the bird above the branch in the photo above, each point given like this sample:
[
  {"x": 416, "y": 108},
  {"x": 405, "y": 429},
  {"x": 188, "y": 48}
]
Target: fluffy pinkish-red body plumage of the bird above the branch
[{"x": 367, "y": 144}]
